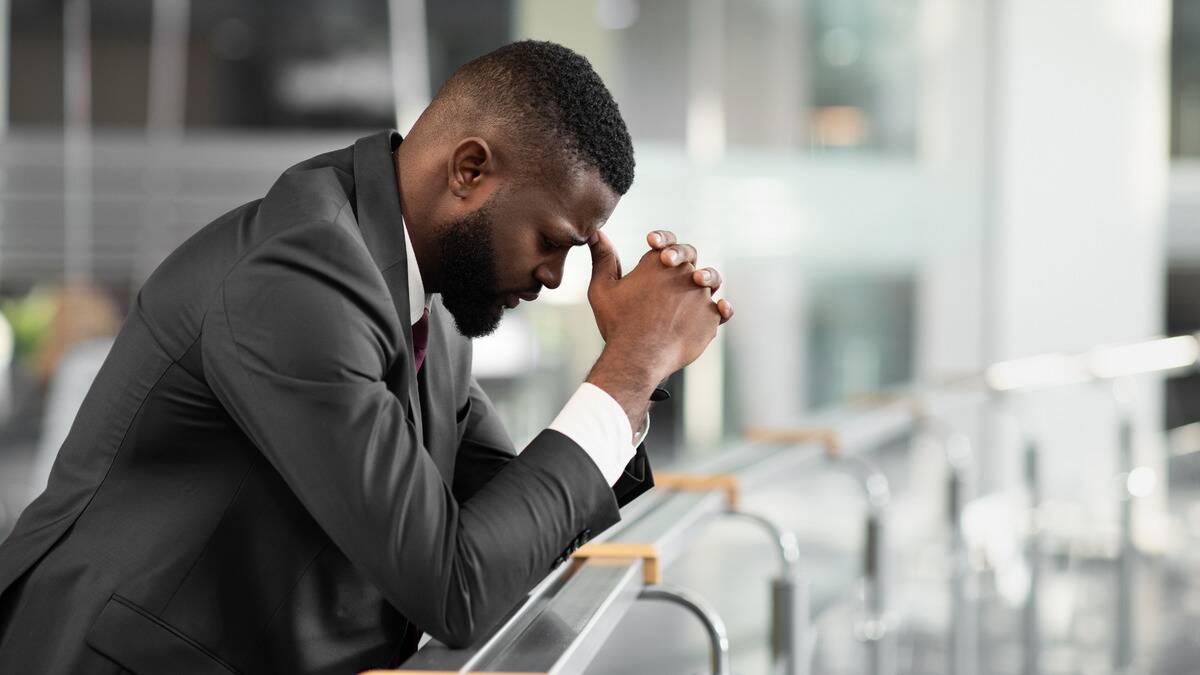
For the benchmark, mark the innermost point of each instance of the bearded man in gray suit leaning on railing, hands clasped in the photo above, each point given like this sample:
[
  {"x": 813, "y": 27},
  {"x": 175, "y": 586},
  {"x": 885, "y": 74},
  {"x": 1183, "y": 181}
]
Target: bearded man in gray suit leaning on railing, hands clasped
[{"x": 285, "y": 465}]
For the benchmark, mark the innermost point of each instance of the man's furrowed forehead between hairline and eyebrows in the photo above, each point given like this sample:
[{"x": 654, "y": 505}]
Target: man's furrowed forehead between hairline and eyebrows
[{"x": 578, "y": 196}]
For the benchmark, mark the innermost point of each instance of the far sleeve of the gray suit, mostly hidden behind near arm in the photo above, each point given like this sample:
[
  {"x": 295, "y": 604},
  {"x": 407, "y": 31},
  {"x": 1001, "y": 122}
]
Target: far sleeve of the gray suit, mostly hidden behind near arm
[{"x": 487, "y": 449}]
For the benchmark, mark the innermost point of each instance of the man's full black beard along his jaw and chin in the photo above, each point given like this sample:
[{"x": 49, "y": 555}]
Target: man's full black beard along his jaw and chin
[{"x": 469, "y": 264}]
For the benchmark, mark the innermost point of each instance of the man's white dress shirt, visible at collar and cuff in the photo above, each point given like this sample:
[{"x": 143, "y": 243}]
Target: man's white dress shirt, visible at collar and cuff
[{"x": 592, "y": 419}]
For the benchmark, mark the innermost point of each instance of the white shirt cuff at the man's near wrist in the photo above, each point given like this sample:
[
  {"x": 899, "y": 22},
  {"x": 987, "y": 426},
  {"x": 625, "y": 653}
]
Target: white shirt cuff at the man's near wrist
[{"x": 598, "y": 425}]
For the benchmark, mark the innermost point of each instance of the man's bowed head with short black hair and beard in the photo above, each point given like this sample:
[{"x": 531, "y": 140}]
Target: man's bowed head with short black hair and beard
[{"x": 521, "y": 156}]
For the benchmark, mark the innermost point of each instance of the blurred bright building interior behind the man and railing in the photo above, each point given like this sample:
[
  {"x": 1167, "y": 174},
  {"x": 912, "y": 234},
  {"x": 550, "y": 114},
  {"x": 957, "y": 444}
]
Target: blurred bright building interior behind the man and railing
[{"x": 898, "y": 193}]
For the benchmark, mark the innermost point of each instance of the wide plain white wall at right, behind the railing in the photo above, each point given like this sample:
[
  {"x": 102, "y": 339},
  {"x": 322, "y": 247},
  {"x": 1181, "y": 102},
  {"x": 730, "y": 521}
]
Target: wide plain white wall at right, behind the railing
[{"x": 1081, "y": 181}]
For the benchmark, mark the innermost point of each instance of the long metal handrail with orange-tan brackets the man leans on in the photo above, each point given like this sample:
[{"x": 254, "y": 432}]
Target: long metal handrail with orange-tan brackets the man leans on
[{"x": 566, "y": 620}]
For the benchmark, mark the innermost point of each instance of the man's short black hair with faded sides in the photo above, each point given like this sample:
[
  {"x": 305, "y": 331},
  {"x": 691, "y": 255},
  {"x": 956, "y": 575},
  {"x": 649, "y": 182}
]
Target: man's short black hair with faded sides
[{"x": 549, "y": 93}]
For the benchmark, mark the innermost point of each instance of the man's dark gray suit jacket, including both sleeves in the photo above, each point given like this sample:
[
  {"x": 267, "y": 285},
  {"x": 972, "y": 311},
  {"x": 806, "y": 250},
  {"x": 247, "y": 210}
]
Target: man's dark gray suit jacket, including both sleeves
[{"x": 259, "y": 481}]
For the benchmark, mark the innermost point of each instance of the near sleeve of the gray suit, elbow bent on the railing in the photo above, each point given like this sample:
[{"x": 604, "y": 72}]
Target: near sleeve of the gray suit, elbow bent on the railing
[{"x": 296, "y": 347}]
